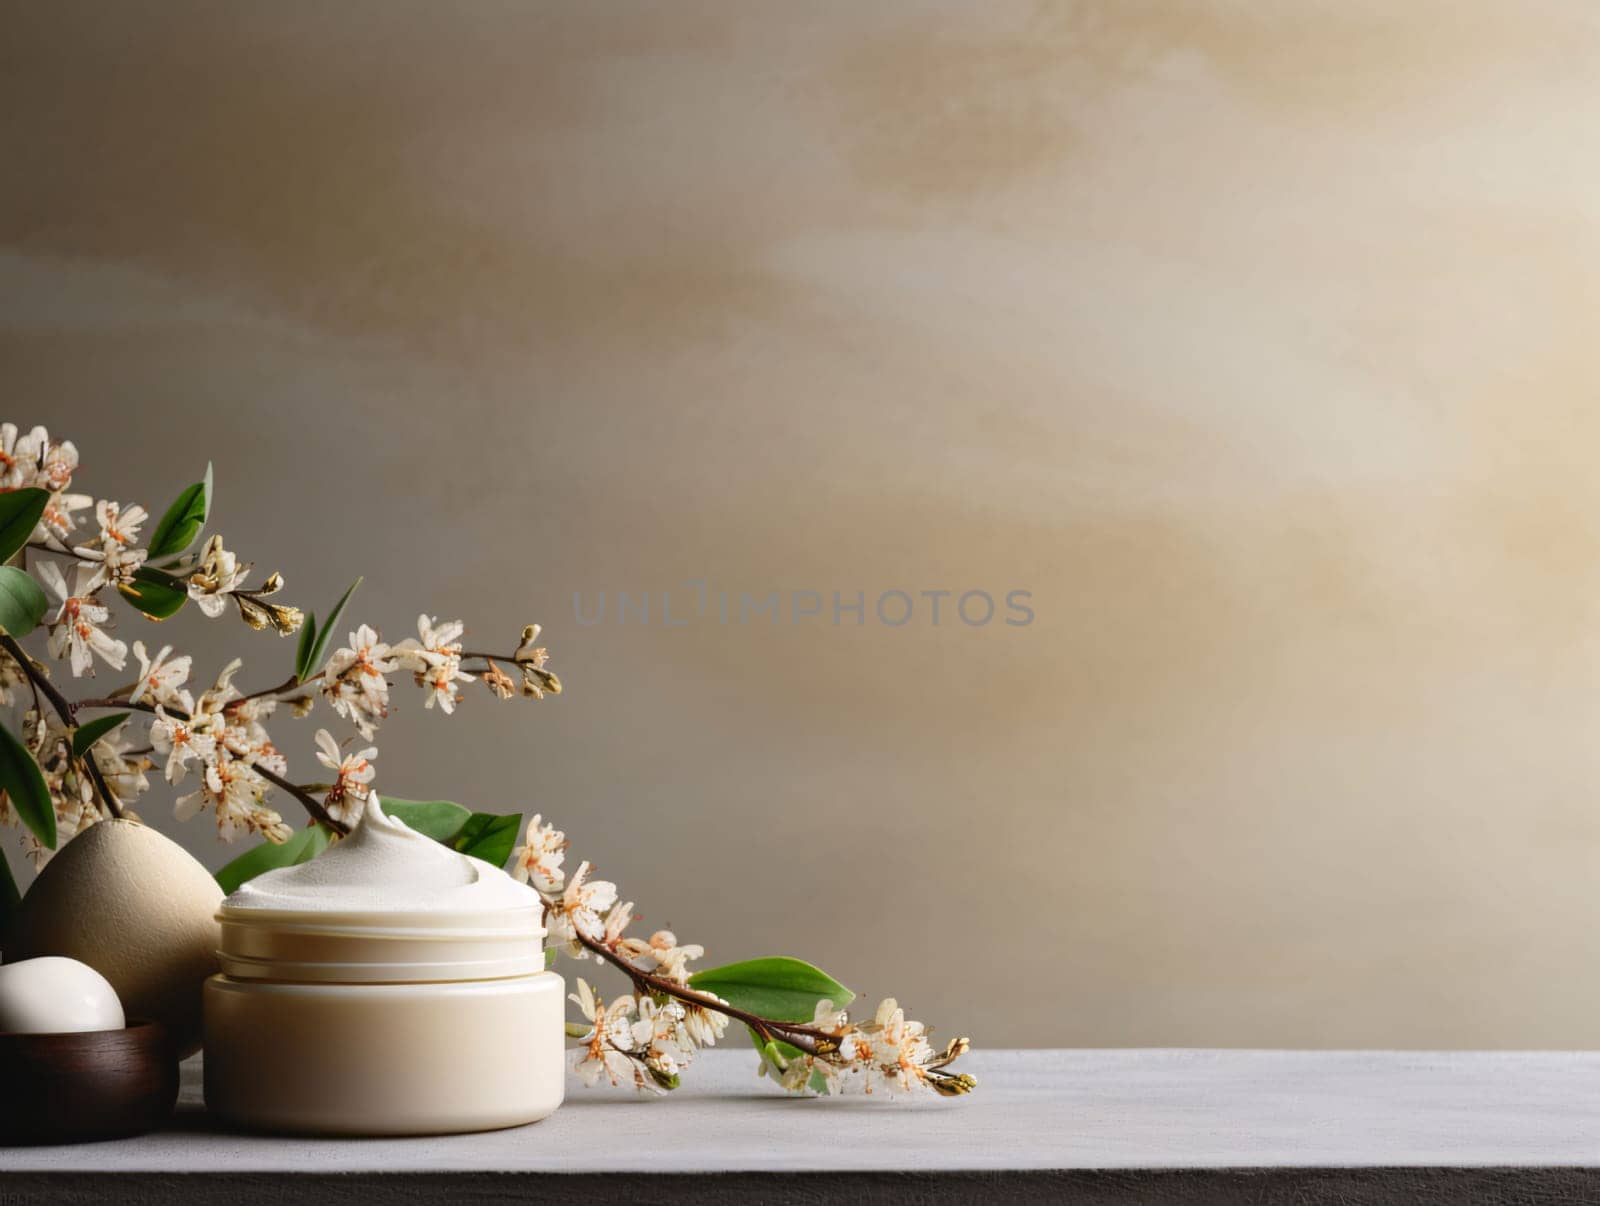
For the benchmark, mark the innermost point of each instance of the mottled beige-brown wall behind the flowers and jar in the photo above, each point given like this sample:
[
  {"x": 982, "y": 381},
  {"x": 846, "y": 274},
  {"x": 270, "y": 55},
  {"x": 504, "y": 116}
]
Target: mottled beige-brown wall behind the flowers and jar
[{"x": 1255, "y": 340}]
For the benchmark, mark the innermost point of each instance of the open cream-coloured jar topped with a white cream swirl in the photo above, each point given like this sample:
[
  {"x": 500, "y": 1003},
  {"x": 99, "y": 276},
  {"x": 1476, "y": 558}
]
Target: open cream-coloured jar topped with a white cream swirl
[{"x": 391, "y": 986}]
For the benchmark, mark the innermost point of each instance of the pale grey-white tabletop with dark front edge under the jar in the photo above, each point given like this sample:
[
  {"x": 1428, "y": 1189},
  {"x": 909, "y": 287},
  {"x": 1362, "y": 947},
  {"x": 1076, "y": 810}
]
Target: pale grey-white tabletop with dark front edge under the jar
[{"x": 1105, "y": 1124}]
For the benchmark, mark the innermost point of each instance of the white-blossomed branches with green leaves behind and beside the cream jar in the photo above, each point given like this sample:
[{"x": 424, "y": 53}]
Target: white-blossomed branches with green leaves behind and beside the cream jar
[{"x": 60, "y": 769}]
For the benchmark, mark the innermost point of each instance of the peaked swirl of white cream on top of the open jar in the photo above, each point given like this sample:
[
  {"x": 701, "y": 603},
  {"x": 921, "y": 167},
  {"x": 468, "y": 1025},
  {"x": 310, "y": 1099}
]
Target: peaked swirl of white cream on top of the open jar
[{"x": 385, "y": 868}]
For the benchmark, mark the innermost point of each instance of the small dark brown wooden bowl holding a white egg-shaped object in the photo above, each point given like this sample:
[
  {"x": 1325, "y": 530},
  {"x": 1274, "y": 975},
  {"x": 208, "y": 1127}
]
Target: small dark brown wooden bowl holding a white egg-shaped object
[{"x": 78, "y": 1088}]
